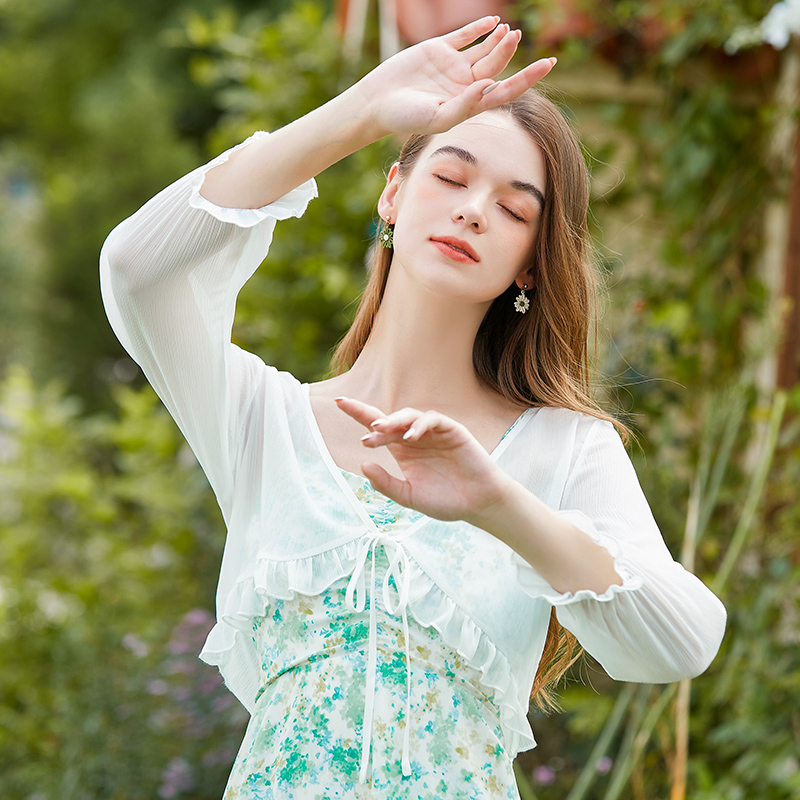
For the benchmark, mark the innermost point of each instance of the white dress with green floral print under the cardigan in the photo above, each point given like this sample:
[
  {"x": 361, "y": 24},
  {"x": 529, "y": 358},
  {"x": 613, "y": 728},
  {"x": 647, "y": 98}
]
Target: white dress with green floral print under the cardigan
[{"x": 305, "y": 737}]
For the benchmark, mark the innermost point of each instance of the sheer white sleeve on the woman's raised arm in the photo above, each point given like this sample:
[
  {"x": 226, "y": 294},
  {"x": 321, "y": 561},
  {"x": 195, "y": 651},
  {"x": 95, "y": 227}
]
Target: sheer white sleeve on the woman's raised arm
[{"x": 169, "y": 276}]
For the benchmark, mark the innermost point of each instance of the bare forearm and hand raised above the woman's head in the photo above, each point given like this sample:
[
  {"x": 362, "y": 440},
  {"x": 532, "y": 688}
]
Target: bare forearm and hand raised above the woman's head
[{"x": 428, "y": 88}]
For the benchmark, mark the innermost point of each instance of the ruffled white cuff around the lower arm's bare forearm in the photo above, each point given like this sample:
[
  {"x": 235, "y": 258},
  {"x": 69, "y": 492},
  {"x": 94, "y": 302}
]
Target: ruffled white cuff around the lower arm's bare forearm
[{"x": 534, "y": 585}]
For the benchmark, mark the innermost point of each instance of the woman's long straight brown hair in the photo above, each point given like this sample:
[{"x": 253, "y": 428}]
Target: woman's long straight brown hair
[{"x": 539, "y": 358}]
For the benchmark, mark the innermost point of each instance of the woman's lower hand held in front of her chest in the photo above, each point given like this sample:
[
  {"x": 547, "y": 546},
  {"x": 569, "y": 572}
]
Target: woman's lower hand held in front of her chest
[{"x": 447, "y": 473}]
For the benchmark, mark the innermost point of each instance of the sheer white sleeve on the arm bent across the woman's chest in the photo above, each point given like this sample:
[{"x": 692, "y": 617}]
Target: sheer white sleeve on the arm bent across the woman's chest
[{"x": 662, "y": 624}]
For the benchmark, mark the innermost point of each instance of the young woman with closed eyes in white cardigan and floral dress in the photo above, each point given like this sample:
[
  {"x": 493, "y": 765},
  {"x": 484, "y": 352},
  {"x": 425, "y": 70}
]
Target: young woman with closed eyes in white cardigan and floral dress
[{"x": 386, "y": 634}]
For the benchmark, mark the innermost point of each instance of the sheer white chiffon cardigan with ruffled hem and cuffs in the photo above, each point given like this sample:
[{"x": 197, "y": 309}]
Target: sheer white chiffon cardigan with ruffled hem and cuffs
[{"x": 170, "y": 275}]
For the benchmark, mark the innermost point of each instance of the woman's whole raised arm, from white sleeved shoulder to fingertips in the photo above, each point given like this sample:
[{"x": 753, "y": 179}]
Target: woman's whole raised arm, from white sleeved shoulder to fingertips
[{"x": 170, "y": 274}]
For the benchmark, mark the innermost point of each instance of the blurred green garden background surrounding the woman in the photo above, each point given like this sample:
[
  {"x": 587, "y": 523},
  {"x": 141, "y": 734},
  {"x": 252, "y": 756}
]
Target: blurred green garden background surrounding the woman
[{"x": 110, "y": 540}]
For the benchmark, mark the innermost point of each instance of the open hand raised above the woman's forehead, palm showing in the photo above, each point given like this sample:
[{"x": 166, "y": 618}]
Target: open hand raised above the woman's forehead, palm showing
[{"x": 434, "y": 85}]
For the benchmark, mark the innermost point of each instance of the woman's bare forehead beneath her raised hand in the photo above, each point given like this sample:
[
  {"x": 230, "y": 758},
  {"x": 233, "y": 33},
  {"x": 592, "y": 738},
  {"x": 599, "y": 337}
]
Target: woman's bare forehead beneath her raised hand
[{"x": 498, "y": 143}]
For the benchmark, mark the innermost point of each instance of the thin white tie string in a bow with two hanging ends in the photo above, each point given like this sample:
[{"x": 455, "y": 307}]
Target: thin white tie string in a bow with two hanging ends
[{"x": 398, "y": 570}]
